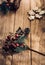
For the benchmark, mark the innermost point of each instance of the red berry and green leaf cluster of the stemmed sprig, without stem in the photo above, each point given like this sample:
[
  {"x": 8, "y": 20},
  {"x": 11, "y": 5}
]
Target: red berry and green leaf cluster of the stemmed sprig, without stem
[{"x": 15, "y": 43}]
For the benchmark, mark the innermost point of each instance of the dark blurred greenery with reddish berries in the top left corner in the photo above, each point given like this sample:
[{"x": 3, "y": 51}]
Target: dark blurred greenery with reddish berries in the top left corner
[{"x": 7, "y": 6}]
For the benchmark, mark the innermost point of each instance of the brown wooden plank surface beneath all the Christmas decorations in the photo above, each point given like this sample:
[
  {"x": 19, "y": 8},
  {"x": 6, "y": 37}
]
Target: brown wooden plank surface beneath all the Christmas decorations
[{"x": 11, "y": 22}]
